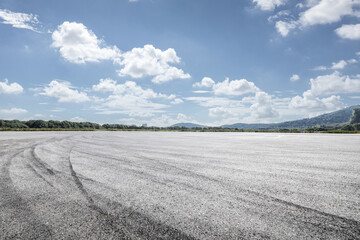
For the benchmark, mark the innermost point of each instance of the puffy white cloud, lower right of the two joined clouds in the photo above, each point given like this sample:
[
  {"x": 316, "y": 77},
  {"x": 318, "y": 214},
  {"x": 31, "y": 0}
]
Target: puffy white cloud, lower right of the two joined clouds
[{"x": 150, "y": 61}]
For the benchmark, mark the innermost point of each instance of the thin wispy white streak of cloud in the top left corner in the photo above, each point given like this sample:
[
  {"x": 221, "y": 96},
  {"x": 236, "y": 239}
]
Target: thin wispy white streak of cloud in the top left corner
[{"x": 19, "y": 20}]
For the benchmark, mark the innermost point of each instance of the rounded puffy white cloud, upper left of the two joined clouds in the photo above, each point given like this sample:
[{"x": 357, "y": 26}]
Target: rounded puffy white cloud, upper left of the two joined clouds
[{"x": 77, "y": 44}]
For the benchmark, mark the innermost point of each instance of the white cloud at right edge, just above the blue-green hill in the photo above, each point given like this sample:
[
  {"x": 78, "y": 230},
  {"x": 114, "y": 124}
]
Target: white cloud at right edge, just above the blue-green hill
[{"x": 334, "y": 84}]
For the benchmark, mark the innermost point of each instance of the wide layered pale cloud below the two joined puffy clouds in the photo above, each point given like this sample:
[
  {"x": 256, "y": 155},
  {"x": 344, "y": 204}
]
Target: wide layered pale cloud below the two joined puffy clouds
[{"x": 130, "y": 98}]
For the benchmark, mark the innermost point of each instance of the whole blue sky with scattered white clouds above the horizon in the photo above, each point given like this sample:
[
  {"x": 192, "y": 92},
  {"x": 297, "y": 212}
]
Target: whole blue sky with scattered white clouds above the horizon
[{"x": 162, "y": 62}]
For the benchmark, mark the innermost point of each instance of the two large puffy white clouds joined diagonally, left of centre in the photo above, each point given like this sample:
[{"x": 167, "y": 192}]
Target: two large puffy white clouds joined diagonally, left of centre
[{"x": 78, "y": 44}]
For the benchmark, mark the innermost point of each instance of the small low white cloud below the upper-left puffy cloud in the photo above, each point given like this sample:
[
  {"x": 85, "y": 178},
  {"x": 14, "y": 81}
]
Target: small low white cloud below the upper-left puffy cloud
[{"x": 64, "y": 92}]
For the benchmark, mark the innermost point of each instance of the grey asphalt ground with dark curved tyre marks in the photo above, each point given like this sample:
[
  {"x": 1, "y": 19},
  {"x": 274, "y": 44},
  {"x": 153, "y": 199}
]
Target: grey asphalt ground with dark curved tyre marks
[{"x": 167, "y": 185}]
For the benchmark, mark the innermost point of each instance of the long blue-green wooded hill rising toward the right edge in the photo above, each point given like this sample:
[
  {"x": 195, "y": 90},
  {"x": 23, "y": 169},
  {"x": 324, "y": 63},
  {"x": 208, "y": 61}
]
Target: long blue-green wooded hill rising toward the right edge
[{"x": 339, "y": 117}]
